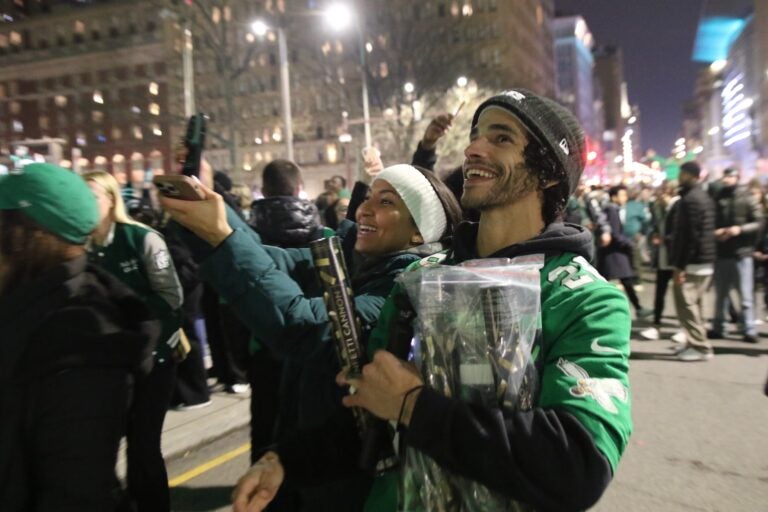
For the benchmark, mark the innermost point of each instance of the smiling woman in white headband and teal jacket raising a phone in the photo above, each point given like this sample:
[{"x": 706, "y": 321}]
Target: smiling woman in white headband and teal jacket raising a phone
[{"x": 407, "y": 215}]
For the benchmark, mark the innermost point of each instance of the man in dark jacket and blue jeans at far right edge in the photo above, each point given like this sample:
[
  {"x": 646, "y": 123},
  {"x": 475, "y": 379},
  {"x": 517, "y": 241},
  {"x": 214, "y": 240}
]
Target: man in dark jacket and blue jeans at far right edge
[{"x": 738, "y": 220}]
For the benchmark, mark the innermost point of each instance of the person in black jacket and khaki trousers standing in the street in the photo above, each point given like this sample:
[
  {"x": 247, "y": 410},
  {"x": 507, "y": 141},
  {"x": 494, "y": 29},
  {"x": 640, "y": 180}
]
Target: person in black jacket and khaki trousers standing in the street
[{"x": 693, "y": 257}]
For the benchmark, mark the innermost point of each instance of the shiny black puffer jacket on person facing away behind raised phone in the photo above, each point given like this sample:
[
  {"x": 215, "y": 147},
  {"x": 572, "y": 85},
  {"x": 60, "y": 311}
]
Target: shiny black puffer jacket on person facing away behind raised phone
[{"x": 286, "y": 221}]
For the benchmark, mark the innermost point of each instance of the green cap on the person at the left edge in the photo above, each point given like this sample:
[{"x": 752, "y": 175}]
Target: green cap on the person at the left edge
[{"x": 57, "y": 199}]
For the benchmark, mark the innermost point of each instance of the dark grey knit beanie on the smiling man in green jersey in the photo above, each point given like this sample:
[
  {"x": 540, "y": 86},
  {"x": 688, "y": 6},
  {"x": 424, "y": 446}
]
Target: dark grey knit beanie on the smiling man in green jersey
[{"x": 551, "y": 124}]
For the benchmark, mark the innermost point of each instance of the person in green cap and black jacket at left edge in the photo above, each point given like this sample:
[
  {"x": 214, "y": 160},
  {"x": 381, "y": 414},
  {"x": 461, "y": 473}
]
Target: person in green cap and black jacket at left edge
[{"x": 72, "y": 337}]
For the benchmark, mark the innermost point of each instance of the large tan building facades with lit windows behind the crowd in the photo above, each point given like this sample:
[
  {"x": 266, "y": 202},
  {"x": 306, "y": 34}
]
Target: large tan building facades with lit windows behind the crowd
[{"x": 108, "y": 77}]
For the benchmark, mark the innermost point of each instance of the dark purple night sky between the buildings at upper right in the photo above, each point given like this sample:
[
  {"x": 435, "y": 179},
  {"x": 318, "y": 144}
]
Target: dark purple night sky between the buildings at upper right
[{"x": 657, "y": 39}]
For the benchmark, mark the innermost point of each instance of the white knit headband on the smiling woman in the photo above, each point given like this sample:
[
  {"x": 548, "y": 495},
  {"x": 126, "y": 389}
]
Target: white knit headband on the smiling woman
[{"x": 419, "y": 197}]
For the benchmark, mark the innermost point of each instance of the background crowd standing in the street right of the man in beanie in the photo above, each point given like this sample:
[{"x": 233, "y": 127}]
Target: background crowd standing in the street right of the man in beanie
[{"x": 704, "y": 236}]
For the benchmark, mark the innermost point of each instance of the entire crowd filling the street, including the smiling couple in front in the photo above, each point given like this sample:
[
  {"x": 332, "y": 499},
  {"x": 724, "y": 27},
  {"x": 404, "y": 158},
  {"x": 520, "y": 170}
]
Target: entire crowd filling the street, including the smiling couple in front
[{"x": 101, "y": 308}]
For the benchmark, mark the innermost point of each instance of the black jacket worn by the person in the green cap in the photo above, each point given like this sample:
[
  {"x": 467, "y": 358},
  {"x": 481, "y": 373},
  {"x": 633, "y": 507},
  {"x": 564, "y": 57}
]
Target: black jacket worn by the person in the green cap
[{"x": 70, "y": 345}]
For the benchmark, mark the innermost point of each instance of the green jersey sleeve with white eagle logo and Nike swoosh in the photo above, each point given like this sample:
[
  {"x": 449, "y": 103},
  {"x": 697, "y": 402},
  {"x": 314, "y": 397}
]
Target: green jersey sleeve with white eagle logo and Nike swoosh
[{"x": 585, "y": 351}]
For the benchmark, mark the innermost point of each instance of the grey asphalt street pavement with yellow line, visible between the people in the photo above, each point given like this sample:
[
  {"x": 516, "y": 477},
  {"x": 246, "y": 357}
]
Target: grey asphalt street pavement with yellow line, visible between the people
[{"x": 700, "y": 441}]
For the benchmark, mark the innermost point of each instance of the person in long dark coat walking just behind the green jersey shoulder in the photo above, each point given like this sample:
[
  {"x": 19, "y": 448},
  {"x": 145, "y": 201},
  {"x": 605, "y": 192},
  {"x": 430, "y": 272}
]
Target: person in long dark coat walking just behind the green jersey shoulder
[{"x": 614, "y": 261}]
